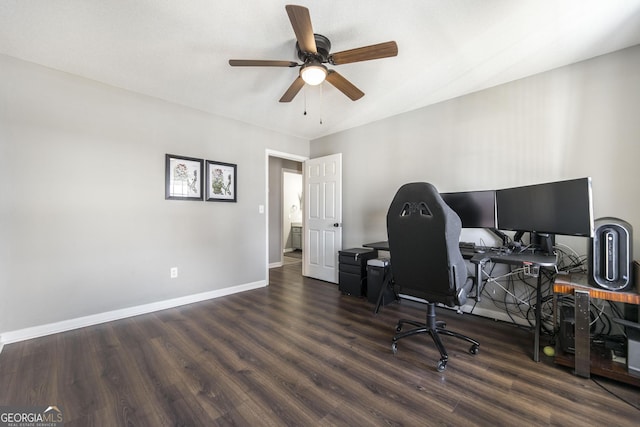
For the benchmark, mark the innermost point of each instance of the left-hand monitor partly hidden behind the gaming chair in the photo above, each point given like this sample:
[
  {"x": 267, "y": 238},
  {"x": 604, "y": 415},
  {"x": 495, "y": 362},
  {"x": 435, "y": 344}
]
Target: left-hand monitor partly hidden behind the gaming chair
[{"x": 476, "y": 209}]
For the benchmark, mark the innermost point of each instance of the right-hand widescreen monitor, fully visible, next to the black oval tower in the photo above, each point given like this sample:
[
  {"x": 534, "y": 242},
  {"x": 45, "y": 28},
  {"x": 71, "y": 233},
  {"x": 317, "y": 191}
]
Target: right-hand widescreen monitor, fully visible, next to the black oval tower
[{"x": 562, "y": 207}]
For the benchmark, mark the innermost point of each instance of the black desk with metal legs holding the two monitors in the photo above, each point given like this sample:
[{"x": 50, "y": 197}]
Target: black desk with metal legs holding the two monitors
[{"x": 499, "y": 257}]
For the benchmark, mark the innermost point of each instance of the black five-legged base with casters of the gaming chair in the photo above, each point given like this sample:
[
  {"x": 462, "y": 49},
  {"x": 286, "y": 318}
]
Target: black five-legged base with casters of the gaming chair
[{"x": 435, "y": 328}]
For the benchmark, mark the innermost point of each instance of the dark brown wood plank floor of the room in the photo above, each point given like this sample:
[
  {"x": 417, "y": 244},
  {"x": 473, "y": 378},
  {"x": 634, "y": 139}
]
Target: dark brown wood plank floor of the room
[{"x": 300, "y": 353}]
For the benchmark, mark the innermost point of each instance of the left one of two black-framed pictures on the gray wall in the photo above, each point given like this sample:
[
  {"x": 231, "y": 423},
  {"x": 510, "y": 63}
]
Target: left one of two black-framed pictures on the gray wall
[{"x": 183, "y": 178}]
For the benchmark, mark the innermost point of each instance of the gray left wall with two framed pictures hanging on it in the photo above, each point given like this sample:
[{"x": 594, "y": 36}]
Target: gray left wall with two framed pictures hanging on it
[{"x": 85, "y": 228}]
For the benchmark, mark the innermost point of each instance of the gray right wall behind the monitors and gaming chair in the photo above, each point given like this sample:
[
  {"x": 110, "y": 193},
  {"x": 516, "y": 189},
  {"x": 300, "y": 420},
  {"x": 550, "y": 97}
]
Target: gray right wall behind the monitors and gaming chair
[{"x": 579, "y": 120}]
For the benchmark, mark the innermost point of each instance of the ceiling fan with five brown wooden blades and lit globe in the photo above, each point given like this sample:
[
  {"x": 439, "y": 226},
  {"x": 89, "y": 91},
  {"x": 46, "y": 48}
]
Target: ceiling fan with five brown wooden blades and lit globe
[{"x": 314, "y": 51}]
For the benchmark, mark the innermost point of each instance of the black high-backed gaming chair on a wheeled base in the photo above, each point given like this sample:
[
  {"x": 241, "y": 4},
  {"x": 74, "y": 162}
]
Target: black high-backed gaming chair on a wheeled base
[{"x": 426, "y": 262}]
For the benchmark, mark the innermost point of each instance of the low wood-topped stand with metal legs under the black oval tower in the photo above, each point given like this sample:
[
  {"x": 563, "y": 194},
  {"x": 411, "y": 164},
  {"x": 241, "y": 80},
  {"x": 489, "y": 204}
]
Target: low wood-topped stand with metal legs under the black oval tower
[{"x": 583, "y": 363}]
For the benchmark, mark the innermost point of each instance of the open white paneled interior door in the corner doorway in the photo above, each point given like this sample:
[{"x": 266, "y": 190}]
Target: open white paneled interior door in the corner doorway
[{"x": 322, "y": 217}]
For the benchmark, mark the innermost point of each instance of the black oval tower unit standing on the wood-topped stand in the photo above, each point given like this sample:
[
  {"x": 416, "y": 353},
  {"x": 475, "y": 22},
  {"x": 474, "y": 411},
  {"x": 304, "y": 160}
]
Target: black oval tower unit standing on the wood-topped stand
[{"x": 610, "y": 257}]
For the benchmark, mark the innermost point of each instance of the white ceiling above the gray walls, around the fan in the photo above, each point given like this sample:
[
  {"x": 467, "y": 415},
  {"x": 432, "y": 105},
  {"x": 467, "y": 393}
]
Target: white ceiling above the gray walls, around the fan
[{"x": 178, "y": 50}]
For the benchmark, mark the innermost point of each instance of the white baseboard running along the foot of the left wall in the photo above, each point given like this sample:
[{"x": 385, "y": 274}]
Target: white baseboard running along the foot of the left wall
[{"x": 94, "y": 319}]
